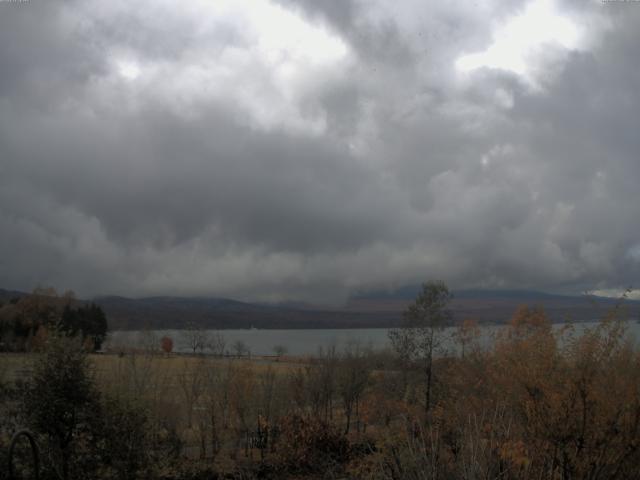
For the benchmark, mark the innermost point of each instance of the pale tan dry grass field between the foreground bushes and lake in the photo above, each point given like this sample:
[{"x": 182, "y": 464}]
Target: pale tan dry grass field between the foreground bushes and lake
[{"x": 182, "y": 391}]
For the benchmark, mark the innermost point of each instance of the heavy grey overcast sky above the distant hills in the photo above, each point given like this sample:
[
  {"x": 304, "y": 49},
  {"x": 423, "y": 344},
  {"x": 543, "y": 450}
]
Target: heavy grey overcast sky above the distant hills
[{"x": 306, "y": 149}]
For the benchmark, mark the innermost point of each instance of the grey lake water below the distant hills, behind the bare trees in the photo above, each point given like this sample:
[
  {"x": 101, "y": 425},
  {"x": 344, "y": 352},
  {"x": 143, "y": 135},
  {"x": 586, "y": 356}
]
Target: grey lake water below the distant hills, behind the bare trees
[{"x": 305, "y": 342}]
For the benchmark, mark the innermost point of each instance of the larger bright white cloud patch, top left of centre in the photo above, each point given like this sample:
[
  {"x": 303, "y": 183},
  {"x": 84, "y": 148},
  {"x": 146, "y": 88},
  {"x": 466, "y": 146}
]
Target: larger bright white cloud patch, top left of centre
[{"x": 280, "y": 59}]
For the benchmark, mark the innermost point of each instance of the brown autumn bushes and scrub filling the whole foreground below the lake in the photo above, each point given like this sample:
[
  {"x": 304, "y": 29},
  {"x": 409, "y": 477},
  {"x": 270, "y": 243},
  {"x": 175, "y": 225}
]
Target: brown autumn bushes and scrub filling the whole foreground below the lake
[{"x": 539, "y": 404}]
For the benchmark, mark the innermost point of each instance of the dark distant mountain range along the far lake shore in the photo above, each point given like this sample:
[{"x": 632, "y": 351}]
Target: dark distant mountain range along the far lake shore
[{"x": 365, "y": 310}]
